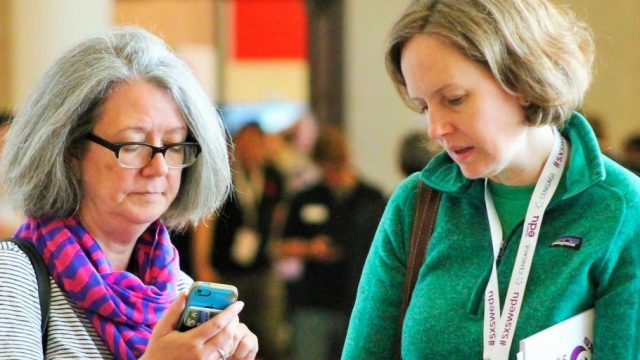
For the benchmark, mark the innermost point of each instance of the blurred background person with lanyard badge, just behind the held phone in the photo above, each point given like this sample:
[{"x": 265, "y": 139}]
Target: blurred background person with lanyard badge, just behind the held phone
[{"x": 233, "y": 247}]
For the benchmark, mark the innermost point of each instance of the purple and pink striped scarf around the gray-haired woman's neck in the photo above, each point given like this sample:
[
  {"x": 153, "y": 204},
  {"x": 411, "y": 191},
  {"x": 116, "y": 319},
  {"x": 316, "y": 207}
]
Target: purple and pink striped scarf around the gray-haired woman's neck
[{"x": 122, "y": 307}]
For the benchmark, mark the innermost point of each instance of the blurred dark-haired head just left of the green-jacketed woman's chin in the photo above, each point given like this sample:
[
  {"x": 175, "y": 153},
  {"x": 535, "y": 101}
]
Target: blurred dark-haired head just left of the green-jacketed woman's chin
[{"x": 414, "y": 152}]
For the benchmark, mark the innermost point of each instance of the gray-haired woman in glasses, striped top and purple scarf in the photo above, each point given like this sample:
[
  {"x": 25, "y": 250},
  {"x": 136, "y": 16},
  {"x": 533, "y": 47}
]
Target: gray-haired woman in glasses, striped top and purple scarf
[{"x": 116, "y": 143}]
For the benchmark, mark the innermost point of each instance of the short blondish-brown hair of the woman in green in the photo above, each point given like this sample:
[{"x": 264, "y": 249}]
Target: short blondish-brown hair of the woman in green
[{"x": 533, "y": 49}]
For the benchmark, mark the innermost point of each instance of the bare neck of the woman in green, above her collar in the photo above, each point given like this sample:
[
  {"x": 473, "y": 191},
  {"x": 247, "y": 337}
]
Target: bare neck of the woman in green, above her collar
[{"x": 529, "y": 160}]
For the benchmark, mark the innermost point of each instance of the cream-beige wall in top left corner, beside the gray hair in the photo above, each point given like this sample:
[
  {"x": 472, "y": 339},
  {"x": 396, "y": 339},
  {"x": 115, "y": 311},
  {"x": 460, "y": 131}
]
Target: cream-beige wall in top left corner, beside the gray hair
[{"x": 38, "y": 32}]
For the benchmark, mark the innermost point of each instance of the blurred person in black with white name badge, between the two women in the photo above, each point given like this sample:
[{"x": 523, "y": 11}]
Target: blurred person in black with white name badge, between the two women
[{"x": 329, "y": 227}]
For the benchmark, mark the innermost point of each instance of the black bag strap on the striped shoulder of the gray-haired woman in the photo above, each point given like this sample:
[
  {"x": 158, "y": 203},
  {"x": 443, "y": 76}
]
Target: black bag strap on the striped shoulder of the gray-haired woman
[{"x": 44, "y": 286}]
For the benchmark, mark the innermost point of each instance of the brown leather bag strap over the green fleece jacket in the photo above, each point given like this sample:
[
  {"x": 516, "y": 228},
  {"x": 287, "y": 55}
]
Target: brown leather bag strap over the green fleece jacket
[{"x": 423, "y": 221}]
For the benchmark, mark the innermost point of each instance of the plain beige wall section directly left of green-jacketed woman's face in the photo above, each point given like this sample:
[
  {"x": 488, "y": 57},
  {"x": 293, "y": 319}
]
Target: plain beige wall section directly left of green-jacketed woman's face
[{"x": 374, "y": 114}]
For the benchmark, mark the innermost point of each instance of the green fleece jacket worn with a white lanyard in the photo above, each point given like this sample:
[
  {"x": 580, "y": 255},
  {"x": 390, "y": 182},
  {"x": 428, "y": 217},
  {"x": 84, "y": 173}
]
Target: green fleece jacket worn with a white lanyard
[{"x": 597, "y": 201}]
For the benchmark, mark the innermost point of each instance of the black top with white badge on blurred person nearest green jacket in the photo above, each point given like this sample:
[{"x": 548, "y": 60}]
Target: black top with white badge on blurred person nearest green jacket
[{"x": 350, "y": 220}]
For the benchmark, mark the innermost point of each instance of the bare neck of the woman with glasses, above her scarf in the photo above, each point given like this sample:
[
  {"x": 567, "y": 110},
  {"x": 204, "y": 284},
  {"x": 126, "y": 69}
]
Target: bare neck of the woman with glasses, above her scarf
[{"x": 116, "y": 242}]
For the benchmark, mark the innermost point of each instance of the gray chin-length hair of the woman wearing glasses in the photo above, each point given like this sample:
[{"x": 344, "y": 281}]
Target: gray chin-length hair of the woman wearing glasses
[{"x": 46, "y": 133}]
